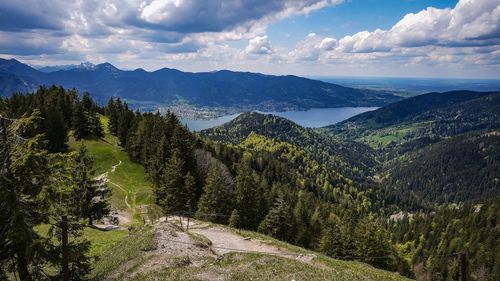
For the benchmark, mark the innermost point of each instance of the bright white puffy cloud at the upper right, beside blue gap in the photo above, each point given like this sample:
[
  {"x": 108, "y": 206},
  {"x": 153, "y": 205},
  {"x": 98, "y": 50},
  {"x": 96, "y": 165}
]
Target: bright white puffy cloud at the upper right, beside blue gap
[{"x": 470, "y": 23}]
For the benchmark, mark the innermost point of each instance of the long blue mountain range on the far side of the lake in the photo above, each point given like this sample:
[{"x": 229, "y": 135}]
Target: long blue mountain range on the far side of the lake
[{"x": 216, "y": 89}]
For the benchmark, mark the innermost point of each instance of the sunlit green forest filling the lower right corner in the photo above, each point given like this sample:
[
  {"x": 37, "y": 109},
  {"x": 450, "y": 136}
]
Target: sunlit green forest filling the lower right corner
[{"x": 435, "y": 240}]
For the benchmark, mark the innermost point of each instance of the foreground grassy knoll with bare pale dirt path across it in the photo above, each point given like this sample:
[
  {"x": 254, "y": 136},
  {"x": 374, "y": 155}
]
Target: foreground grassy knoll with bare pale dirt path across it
[{"x": 177, "y": 254}]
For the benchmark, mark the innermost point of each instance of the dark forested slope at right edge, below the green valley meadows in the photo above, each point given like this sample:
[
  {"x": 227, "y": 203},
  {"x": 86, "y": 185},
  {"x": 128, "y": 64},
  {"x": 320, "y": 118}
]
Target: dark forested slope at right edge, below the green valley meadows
[{"x": 459, "y": 169}]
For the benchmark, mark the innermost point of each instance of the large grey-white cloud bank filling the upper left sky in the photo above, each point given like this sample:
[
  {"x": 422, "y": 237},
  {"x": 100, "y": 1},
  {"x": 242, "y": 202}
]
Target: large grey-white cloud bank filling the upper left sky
[{"x": 167, "y": 22}]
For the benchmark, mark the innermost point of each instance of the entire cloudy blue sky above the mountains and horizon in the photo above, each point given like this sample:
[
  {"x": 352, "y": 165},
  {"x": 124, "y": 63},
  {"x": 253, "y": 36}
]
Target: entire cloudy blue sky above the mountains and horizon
[{"x": 390, "y": 38}]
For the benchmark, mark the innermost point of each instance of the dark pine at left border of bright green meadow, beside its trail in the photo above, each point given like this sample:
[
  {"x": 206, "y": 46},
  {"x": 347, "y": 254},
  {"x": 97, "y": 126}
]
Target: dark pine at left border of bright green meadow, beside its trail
[{"x": 91, "y": 195}]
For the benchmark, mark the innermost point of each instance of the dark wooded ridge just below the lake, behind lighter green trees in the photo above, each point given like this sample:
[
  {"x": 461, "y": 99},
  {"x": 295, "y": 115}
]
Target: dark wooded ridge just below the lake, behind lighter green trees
[{"x": 351, "y": 159}]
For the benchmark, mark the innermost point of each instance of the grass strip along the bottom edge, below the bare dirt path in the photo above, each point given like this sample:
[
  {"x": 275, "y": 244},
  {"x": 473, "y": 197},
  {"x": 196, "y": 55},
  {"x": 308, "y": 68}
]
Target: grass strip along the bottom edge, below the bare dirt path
[{"x": 249, "y": 266}]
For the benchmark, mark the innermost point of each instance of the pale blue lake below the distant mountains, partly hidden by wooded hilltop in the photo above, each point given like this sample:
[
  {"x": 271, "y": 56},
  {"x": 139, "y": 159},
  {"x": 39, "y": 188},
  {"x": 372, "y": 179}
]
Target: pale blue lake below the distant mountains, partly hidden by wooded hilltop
[{"x": 312, "y": 118}]
